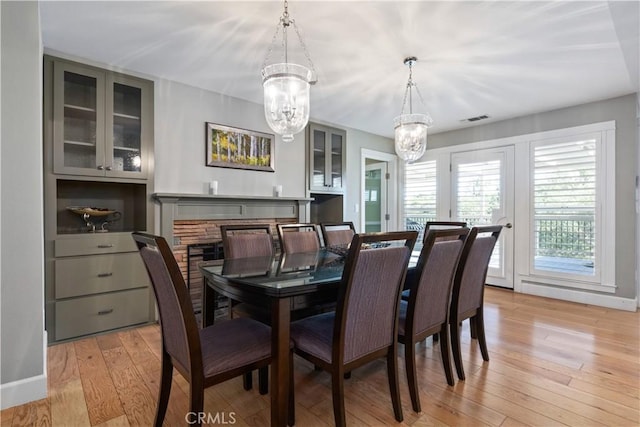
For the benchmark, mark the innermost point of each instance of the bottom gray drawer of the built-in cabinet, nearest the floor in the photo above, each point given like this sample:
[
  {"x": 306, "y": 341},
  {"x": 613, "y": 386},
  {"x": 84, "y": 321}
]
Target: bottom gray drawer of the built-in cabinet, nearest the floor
[{"x": 88, "y": 315}]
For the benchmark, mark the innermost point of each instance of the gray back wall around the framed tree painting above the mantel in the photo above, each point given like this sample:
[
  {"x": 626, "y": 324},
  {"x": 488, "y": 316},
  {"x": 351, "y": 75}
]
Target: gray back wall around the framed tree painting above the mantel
[{"x": 180, "y": 115}]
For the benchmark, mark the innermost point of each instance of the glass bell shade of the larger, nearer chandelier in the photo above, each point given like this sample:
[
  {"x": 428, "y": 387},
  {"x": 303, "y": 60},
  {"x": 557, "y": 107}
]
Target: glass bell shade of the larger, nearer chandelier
[{"x": 286, "y": 98}]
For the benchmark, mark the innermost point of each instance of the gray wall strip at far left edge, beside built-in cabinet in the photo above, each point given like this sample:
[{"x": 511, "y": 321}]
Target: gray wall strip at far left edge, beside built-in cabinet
[{"x": 21, "y": 224}]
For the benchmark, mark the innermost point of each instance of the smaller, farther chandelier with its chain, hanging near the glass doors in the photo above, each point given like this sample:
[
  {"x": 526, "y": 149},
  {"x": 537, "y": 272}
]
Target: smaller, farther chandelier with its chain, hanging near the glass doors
[{"x": 411, "y": 129}]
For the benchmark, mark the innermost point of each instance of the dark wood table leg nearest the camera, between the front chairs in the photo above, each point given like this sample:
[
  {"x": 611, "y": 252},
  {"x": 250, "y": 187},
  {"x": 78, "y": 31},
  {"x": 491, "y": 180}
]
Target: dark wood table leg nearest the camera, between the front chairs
[{"x": 280, "y": 320}]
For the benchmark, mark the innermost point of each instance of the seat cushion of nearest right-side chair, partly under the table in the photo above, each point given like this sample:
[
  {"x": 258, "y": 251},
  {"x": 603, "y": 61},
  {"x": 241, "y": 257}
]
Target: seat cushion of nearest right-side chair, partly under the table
[{"x": 314, "y": 335}]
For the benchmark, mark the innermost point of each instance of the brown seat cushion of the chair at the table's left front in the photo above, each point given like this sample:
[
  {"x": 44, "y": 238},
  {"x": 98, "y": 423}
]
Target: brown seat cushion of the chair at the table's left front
[{"x": 234, "y": 343}]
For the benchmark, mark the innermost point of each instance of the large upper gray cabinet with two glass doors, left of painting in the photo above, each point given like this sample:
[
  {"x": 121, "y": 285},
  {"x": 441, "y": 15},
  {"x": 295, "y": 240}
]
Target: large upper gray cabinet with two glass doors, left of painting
[{"x": 101, "y": 122}]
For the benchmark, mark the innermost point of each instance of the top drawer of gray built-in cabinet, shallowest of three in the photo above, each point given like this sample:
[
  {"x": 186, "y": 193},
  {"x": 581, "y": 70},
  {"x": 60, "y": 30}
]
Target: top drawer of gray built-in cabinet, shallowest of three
[{"x": 95, "y": 243}]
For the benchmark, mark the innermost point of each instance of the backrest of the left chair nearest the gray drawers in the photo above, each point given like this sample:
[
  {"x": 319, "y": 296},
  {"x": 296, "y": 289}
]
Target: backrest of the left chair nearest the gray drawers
[{"x": 180, "y": 336}]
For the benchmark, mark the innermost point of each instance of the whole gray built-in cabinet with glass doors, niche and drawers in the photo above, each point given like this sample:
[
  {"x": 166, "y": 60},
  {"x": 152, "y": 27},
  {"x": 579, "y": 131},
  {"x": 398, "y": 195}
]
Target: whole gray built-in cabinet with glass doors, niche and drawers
[{"x": 98, "y": 144}]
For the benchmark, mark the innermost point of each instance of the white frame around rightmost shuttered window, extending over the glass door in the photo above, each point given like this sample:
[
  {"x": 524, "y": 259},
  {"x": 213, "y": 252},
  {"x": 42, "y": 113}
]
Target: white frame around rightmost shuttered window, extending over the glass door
[{"x": 525, "y": 277}]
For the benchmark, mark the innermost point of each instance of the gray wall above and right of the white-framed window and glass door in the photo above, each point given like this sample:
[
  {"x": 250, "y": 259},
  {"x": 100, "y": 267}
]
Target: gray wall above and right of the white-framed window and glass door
[{"x": 623, "y": 111}]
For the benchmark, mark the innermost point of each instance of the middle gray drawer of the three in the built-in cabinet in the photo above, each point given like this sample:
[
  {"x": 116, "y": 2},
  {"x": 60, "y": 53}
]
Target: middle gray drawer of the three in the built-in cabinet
[{"x": 94, "y": 274}]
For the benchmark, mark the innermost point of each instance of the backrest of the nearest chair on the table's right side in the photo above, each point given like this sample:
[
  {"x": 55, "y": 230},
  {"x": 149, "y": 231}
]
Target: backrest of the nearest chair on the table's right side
[{"x": 368, "y": 299}]
